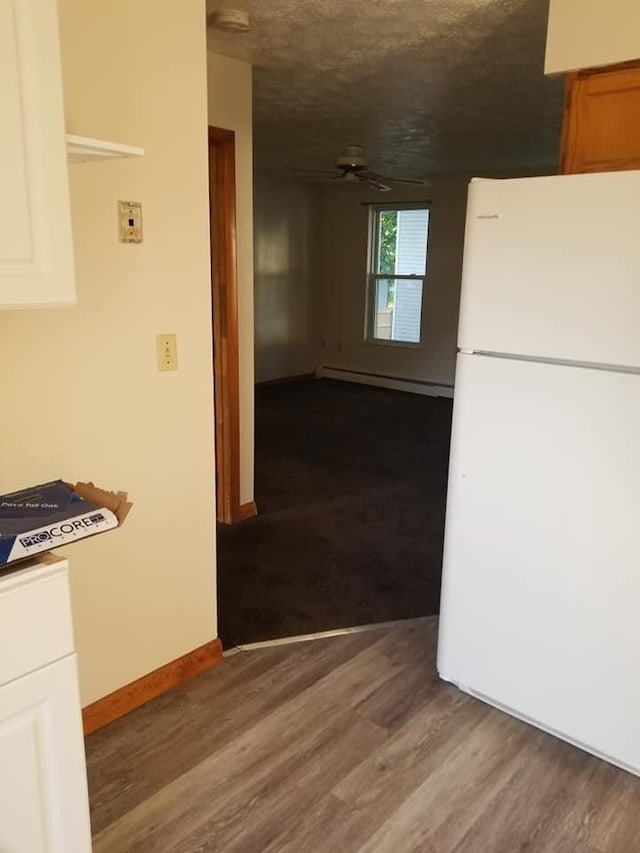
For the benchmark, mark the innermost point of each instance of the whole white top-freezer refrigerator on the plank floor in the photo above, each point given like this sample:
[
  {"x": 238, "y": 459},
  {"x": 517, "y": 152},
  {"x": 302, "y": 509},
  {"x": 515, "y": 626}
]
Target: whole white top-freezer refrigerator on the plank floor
[{"x": 540, "y": 611}]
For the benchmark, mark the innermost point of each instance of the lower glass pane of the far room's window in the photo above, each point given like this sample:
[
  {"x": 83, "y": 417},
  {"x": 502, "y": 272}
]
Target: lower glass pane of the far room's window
[{"x": 397, "y": 310}]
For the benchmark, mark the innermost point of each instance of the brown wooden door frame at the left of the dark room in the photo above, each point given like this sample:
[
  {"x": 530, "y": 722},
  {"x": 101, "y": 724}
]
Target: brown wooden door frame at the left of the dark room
[{"x": 224, "y": 302}]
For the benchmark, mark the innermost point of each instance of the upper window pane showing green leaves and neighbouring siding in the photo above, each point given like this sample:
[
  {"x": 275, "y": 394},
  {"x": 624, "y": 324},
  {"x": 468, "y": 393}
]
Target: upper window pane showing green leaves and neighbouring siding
[{"x": 402, "y": 242}]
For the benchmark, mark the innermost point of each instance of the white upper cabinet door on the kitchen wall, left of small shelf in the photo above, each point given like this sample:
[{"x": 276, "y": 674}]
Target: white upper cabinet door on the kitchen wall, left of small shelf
[{"x": 36, "y": 252}]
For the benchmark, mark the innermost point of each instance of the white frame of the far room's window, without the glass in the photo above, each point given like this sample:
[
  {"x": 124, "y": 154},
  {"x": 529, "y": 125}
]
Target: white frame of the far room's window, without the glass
[{"x": 374, "y": 210}]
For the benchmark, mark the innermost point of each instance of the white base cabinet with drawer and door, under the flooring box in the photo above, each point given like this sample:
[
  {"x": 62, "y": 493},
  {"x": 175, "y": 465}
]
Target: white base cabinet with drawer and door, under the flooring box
[{"x": 43, "y": 788}]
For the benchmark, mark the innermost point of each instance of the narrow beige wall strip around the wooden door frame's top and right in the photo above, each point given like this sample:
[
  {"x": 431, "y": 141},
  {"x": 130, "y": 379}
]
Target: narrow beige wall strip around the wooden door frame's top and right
[{"x": 230, "y": 107}]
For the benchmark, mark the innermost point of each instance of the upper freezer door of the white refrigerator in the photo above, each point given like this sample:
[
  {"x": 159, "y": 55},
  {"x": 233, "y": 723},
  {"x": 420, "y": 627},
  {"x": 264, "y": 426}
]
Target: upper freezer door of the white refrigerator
[{"x": 552, "y": 268}]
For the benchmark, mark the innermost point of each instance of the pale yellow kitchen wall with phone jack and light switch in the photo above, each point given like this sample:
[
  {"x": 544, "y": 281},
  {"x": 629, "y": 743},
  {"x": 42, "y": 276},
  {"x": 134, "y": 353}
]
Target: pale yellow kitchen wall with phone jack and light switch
[{"x": 81, "y": 396}]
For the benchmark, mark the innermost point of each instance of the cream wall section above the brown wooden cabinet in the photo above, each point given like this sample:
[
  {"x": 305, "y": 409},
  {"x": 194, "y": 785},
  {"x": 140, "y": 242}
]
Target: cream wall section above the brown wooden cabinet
[{"x": 588, "y": 33}]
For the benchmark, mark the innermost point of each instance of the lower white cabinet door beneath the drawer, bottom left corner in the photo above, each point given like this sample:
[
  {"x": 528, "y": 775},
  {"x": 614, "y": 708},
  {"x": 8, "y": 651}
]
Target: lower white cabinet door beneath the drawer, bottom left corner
[{"x": 43, "y": 790}]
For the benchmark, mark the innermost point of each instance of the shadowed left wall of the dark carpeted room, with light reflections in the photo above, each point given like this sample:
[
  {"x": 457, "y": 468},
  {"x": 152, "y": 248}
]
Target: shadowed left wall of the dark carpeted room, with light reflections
[{"x": 285, "y": 315}]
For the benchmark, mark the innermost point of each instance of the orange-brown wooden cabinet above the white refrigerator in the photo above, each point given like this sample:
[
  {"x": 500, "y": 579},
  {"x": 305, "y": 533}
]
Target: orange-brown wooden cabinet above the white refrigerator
[{"x": 601, "y": 130}]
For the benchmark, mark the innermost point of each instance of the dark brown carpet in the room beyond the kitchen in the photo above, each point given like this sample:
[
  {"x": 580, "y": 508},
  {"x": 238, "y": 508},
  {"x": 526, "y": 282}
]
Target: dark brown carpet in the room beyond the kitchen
[{"x": 350, "y": 484}]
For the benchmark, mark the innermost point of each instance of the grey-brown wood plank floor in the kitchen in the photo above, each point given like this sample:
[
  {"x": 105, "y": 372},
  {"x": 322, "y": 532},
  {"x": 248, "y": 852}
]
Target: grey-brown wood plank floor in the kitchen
[{"x": 347, "y": 744}]
